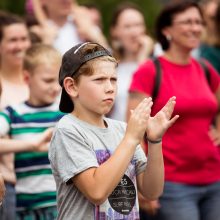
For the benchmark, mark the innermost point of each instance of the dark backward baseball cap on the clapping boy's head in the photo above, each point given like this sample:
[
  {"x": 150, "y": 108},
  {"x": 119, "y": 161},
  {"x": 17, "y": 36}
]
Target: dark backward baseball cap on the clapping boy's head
[{"x": 72, "y": 60}]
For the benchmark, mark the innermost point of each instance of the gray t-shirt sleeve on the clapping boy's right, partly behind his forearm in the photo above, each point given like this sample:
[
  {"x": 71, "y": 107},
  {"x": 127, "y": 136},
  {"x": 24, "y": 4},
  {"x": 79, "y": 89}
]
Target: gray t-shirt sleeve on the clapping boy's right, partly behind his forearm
[{"x": 140, "y": 160}]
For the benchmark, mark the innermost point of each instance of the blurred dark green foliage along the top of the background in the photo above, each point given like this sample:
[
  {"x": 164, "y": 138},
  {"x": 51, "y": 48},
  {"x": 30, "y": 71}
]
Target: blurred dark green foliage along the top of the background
[{"x": 150, "y": 9}]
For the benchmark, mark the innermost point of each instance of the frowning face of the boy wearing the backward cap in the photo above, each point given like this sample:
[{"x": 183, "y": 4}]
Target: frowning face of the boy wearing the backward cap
[{"x": 96, "y": 93}]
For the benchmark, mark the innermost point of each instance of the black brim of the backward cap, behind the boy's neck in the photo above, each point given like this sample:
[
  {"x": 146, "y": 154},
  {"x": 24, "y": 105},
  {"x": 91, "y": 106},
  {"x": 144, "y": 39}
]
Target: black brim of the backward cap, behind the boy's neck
[{"x": 66, "y": 104}]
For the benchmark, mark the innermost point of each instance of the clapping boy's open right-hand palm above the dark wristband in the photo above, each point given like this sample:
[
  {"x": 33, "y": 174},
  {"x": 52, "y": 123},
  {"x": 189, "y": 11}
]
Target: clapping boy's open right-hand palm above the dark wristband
[{"x": 157, "y": 125}]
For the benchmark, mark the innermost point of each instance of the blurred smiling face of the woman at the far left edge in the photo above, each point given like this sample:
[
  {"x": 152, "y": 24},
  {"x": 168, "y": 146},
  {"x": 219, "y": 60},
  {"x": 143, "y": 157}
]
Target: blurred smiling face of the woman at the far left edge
[{"x": 14, "y": 43}]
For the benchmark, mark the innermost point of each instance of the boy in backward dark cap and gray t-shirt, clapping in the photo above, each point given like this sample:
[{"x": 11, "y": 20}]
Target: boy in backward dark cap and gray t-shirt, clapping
[{"x": 97, "y": 162}]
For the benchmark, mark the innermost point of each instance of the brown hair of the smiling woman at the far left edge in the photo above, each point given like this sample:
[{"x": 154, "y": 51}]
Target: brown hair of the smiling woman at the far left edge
[{"x": 7, "y": 19}]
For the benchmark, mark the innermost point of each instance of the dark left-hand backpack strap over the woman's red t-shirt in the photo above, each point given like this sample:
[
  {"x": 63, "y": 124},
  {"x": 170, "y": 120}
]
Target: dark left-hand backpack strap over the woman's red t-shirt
[{"x": 157, "y": 77}]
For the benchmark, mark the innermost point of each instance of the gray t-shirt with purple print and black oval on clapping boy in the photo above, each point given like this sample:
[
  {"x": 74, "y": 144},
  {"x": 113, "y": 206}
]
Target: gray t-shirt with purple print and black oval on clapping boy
[{"x": 77, "y": 146}]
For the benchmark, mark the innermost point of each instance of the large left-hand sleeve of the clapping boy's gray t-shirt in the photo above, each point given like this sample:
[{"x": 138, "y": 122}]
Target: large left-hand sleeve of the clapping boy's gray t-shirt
[{"x": 70, "y": 154}]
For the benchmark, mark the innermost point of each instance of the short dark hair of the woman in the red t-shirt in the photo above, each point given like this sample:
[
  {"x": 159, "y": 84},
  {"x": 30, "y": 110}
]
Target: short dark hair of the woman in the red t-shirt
[{"x": 165, "y": 18}]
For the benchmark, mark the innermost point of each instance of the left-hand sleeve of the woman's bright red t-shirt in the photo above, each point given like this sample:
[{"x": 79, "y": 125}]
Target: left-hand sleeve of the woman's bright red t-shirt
[{"x": 143, "y": 79}]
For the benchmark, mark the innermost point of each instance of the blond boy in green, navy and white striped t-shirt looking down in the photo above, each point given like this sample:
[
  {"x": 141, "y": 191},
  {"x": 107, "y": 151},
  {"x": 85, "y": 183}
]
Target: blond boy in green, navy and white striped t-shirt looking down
[{"x": 35, "y": 187}]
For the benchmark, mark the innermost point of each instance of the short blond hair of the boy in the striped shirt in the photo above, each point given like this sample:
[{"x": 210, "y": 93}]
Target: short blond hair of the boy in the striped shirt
[{"x": 40, "y": 54}]
